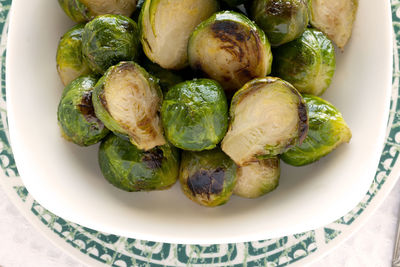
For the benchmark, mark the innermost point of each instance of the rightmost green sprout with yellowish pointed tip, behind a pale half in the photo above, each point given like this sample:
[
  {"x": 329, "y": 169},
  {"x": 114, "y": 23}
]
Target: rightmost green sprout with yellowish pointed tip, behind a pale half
[{"x": 327, "y": 130}]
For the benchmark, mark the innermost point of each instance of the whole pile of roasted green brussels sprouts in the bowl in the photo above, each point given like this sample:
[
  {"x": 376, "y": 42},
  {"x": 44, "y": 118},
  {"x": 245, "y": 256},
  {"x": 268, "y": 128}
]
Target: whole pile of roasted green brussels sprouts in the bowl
[{"x": 188, "y": 90}]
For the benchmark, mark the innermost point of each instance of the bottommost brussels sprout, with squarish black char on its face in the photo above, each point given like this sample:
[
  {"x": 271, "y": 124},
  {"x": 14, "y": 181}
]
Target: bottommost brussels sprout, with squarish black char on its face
[{"x": 208, "y": 177}]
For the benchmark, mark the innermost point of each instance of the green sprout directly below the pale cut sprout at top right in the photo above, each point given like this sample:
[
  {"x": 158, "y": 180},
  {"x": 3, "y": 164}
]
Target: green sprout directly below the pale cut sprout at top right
[{"x": 308, "y": 62}]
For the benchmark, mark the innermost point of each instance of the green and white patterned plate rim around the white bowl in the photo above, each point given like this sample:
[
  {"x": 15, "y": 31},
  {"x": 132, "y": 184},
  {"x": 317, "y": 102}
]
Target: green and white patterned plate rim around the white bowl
[{"x": 115, "y": 250}]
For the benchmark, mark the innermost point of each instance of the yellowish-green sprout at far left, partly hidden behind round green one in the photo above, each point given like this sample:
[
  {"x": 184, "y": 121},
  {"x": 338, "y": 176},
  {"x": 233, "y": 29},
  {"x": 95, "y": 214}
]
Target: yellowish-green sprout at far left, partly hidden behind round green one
[{"x": 70, "y": 63}]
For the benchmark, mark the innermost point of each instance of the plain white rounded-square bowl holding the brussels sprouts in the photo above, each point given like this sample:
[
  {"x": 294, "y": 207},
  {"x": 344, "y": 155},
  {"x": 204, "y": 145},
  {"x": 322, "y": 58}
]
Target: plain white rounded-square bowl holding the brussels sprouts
[{"x": 66, "y": 179}]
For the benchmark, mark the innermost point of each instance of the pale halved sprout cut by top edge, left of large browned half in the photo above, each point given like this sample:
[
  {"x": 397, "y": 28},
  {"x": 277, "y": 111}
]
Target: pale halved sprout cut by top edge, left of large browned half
[{"x": 166, "y": 26}]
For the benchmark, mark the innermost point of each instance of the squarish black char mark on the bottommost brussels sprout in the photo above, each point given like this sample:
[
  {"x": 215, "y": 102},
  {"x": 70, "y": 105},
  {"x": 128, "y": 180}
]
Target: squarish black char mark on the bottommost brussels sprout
[{"x": 207, "y": 182}]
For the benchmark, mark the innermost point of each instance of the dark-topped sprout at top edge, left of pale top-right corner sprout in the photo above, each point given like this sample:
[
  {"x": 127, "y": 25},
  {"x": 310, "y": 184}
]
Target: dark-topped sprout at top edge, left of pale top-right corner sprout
[{"x": 282, "y": 21}]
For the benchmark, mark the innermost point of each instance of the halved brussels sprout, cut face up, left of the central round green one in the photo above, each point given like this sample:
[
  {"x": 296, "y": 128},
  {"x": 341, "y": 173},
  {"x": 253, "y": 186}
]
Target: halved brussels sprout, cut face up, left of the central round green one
[{"x": 128, "y": 100}]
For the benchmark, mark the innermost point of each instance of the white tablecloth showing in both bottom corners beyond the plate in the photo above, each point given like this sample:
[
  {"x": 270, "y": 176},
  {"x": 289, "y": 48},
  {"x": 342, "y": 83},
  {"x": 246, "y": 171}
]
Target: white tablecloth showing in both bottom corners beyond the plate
[{"x": 22, "y": 245}]
